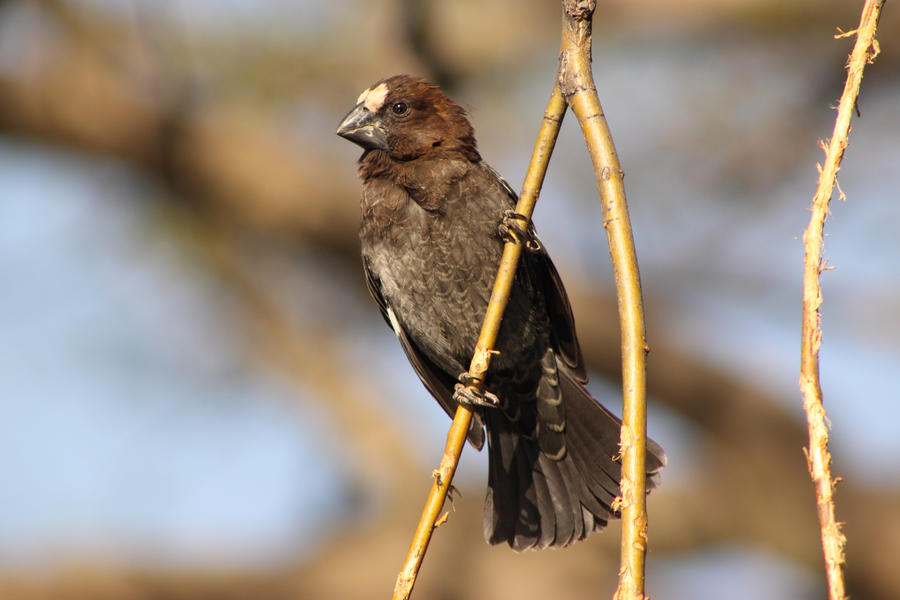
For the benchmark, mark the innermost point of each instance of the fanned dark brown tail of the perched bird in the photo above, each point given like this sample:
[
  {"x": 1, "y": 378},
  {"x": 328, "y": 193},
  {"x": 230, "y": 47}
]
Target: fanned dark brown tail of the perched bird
[{"x": 536, "y": 499}]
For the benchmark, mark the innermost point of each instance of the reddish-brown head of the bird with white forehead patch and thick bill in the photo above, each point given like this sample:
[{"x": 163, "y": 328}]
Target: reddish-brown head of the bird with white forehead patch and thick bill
[{"x": 408, "y": 117}]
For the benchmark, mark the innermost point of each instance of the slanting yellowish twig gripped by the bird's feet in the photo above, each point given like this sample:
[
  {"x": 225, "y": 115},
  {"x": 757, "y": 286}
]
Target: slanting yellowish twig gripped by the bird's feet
[{"x": 456, "y": 438}]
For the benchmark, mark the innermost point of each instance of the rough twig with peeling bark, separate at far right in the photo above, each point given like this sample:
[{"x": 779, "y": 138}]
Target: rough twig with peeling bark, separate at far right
[{"x": 818, "y": 456}]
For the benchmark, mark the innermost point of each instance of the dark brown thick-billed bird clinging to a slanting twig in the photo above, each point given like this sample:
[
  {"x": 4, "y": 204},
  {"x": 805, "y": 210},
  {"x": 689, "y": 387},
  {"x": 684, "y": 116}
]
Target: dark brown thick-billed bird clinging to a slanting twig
[{"x": 434, "y": 219}]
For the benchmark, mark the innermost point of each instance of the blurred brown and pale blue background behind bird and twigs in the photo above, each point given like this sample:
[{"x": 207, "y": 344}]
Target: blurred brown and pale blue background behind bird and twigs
[{"x": 198, "y": 400}]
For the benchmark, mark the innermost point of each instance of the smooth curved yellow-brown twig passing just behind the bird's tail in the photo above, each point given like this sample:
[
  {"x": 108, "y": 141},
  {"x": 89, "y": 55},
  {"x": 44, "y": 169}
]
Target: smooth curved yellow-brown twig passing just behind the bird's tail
[{"x": 577, "y": 84}]
